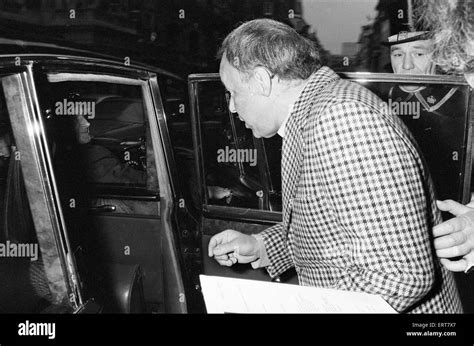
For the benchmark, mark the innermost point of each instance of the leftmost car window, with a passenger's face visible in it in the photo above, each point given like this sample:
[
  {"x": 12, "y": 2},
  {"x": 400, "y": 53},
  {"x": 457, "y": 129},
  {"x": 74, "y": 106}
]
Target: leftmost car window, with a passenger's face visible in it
[{"x": 98, "y": 131}]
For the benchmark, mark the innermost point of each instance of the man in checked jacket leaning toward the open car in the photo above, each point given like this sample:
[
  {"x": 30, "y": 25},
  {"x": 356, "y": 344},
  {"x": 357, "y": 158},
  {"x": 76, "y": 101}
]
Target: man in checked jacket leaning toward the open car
[{"x": 358, "y": 202}]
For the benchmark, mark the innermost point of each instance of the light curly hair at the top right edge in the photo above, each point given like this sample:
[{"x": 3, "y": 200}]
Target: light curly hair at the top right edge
[{"x": 452, "y": 25}]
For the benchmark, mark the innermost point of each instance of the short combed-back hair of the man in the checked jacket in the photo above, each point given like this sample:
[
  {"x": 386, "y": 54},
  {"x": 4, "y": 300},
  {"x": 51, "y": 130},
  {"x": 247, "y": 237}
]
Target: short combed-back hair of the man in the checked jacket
[{"x": 273, "y": 45}]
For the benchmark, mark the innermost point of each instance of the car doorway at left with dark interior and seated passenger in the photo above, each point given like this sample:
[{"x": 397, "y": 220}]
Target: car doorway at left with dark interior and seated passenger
[{"x": 111, "y": 169}]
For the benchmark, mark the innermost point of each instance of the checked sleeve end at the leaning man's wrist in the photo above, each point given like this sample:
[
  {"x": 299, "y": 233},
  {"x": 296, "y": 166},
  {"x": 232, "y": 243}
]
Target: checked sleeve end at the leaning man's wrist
[{"x": 276, "y": 249}]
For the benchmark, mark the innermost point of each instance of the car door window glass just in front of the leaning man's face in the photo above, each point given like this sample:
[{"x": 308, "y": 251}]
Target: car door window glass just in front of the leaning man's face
[{"x": 232, "y": 157}]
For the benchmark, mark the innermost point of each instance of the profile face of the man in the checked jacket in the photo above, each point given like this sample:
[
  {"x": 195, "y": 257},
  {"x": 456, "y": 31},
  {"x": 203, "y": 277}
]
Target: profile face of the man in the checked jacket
[{"x": 253, "y": 108}]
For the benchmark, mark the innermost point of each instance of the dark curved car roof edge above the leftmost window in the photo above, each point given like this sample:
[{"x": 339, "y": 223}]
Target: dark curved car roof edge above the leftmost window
[{"x": 19, "y": 48}]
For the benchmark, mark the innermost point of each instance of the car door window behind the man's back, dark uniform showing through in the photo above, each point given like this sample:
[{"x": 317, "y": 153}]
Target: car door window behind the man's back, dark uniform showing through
[{"x": 437, "y": 116}]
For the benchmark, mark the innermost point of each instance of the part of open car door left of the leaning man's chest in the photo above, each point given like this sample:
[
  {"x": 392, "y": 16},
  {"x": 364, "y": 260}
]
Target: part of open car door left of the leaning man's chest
[{"x": 231, "y": 159}]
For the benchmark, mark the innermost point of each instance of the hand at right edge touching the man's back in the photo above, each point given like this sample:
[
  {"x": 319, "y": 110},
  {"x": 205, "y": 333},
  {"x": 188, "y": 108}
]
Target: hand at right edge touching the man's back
[{"x": 455, "y": 237}]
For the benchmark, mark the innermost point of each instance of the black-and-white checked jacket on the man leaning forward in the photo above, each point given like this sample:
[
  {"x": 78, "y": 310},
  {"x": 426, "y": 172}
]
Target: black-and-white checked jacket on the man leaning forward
[{"x": 358, "y": 202}]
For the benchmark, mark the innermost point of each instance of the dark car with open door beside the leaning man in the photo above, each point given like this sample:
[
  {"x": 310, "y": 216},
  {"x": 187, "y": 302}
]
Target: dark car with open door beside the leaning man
[{"x": 121, "y": 210}]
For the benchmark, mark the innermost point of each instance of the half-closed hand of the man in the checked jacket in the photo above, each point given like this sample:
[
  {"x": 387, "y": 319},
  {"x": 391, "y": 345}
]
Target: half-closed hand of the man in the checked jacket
[{"x": 230, "y": 247}]
